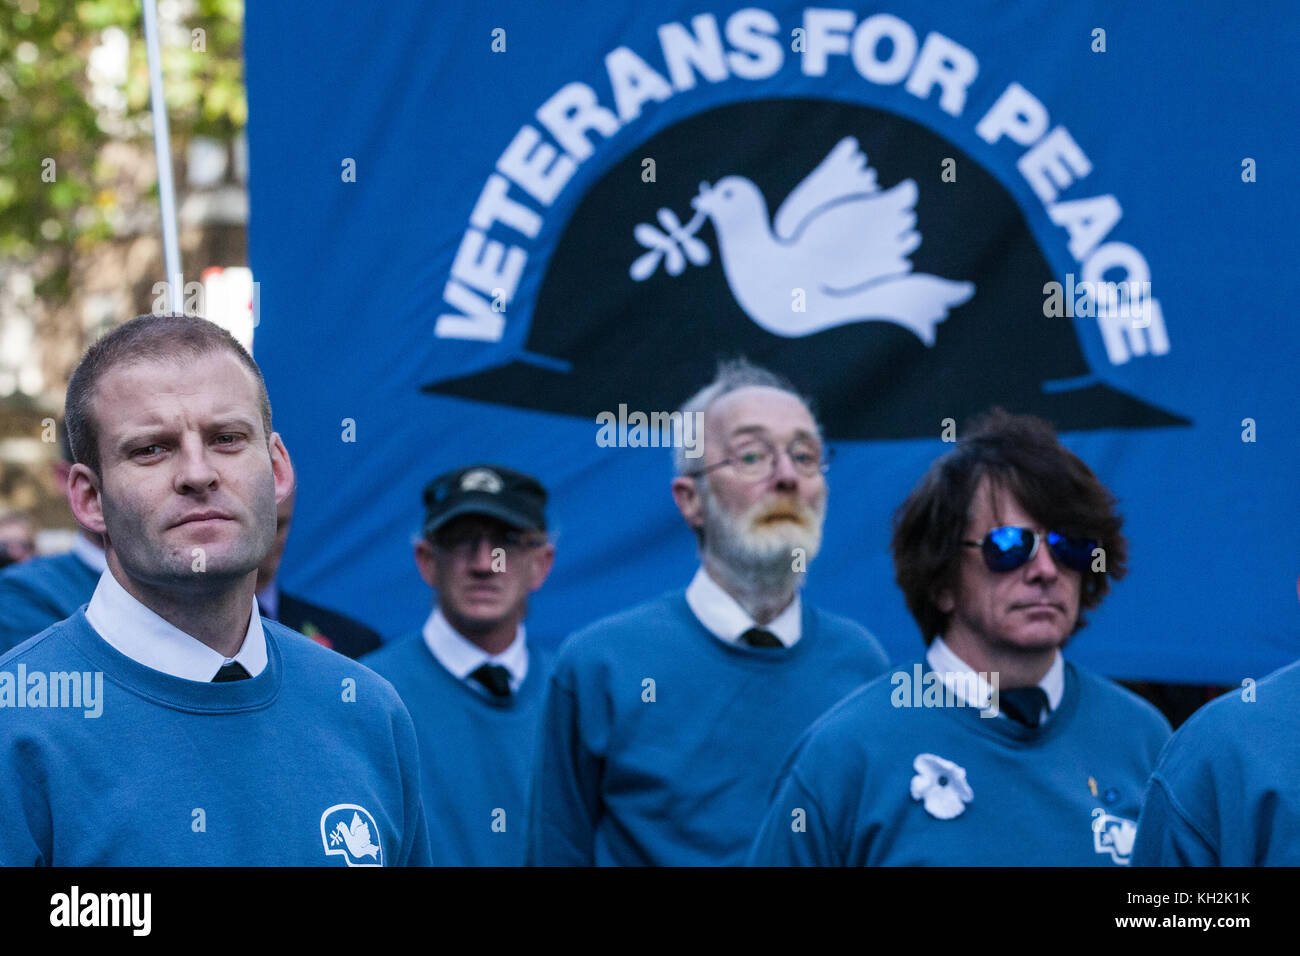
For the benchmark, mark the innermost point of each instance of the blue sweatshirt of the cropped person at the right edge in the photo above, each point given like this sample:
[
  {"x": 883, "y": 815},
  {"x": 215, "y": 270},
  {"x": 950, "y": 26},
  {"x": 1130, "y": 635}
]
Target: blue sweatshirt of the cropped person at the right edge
[{"x": 1227, "y": 791}]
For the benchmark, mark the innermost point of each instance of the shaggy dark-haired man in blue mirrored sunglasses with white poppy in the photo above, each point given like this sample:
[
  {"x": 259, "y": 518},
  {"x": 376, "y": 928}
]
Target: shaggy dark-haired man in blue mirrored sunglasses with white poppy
[{"x": 993, "y": 750}]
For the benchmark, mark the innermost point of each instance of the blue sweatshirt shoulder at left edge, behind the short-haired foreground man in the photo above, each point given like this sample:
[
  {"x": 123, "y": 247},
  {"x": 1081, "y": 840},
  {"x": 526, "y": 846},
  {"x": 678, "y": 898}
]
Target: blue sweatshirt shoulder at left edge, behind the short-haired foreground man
[{"x": 42, "y": 592}]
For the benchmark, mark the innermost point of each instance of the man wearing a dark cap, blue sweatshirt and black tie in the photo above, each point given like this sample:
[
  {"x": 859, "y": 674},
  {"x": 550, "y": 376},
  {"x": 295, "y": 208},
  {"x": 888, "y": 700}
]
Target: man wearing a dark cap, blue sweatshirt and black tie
[{"x": 470, "y": 678}]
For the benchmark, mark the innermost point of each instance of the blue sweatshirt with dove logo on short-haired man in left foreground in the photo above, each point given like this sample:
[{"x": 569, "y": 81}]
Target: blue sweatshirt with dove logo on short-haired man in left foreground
[{"x": 105, "y": 762}]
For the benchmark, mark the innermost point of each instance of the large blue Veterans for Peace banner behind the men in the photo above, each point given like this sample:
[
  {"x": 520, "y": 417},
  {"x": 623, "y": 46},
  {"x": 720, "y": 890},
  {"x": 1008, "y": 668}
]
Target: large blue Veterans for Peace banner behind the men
[{"x": 476, "y": 231}]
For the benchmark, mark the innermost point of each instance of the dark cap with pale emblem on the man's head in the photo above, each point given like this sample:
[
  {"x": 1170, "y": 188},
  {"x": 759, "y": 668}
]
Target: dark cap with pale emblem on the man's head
[{"x": 486, "y": 490}]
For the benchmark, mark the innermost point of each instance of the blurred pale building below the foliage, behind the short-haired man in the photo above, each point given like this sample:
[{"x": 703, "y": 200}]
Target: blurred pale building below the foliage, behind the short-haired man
[{"x": 44, "y": 335}]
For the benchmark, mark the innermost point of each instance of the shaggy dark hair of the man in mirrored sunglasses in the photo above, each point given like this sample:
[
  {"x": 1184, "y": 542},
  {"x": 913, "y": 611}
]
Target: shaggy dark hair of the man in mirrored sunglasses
[{"x": 1022, "y": 456}]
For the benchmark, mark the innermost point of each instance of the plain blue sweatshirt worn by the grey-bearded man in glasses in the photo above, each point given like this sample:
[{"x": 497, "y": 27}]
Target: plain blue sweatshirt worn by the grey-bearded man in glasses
[{"x": 661, "y": 743}]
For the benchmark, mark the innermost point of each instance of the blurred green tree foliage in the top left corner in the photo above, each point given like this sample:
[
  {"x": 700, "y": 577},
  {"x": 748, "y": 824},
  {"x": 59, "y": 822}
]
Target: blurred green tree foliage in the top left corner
[{"x": 49, "y": 110}]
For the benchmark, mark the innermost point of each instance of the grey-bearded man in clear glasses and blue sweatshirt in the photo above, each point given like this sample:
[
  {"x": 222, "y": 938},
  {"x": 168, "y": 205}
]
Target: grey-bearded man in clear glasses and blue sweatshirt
[{"x": 665, "y": 726}]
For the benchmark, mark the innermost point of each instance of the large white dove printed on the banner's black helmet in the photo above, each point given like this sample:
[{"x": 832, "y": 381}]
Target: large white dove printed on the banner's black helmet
[{"x": 840, "y": 240}]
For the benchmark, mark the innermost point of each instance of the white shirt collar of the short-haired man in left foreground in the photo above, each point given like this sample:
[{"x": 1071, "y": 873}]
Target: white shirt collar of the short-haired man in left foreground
[{"x": 135, "y": 630}]
